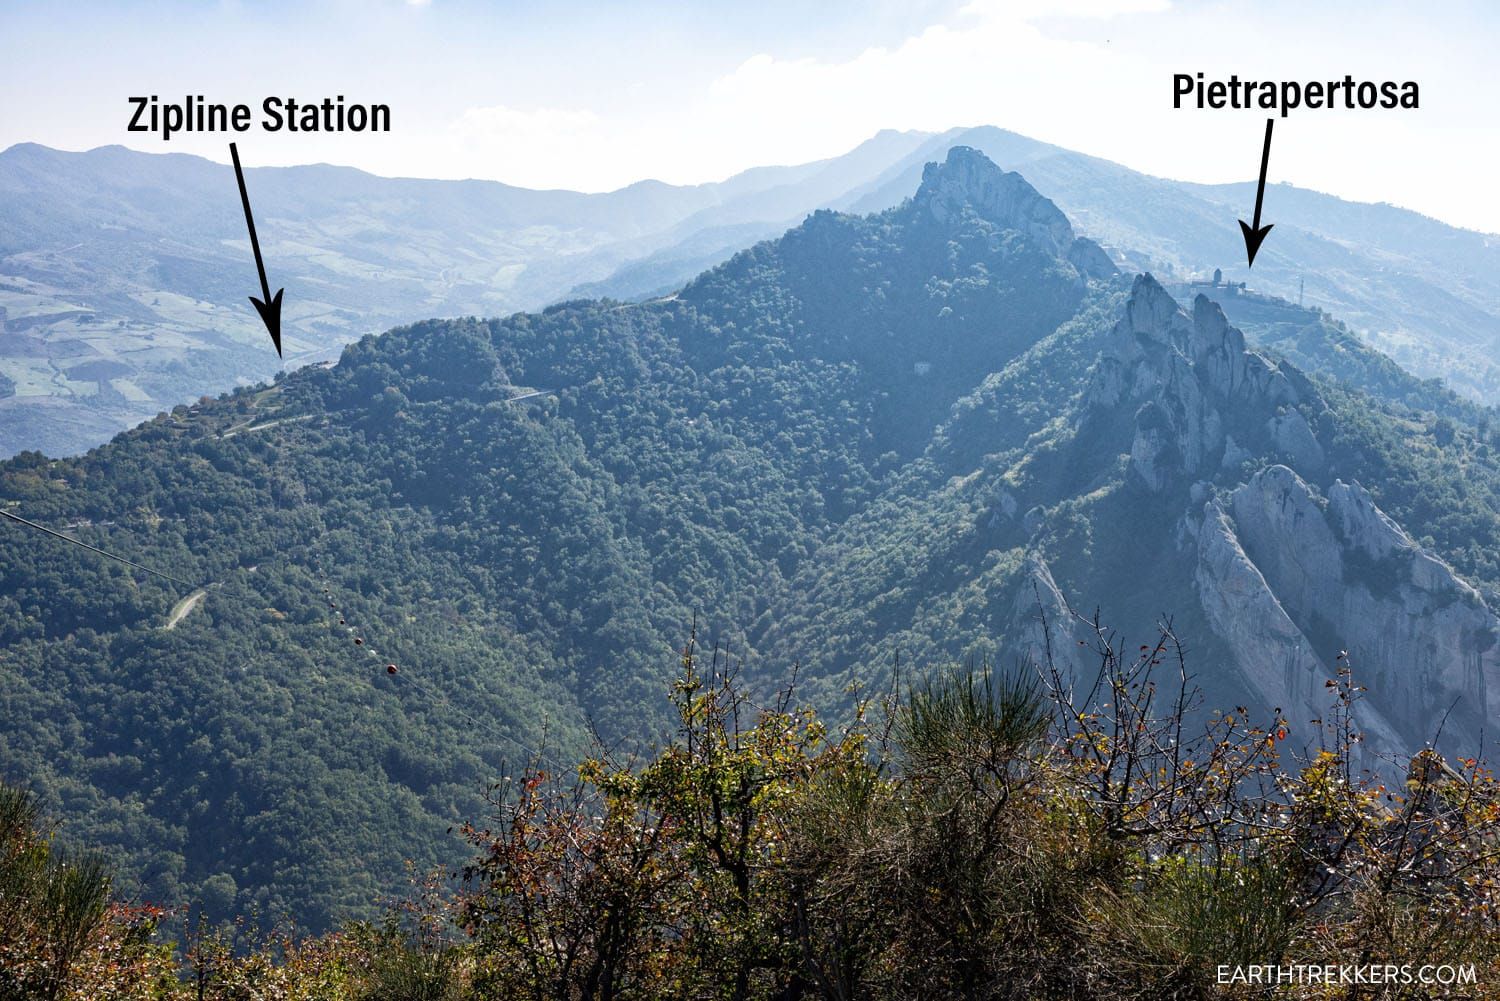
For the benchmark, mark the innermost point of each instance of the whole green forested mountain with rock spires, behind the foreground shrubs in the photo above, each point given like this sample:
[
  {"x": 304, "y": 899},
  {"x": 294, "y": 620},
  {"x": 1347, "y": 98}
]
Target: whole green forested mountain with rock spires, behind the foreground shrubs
[{"x": 895, "y": 434}]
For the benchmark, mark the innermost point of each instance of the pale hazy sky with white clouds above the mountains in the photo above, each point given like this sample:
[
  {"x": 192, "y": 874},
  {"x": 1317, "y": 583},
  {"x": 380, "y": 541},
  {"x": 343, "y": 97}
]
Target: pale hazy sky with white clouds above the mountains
[{"x": 598, "y": 95}]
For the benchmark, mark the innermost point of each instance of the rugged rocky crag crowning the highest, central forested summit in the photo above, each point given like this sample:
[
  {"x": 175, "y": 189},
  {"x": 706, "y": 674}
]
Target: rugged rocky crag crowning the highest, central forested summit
[{"x": 968, "y": 179}]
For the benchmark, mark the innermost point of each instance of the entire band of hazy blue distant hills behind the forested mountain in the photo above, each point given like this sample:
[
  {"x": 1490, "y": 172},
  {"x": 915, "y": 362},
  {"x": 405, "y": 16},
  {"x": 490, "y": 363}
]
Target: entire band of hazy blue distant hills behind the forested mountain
[{"x": 124, "y": 277}]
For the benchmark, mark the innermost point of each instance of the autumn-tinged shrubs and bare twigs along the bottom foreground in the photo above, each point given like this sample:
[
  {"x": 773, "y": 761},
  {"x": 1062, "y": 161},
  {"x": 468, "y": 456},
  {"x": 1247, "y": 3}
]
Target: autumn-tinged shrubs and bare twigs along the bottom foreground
[{"x": 980, "y": 835}]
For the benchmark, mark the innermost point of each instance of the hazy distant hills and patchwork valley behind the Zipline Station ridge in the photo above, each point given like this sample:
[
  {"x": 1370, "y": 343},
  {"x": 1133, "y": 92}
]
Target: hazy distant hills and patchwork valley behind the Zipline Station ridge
[{"x": 124, "y": 277}]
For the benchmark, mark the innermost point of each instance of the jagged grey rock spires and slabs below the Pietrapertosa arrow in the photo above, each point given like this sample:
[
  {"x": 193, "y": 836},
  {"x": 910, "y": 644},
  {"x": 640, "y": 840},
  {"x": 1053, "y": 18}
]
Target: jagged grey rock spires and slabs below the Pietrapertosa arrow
[{"x": 1291, "y": 565}]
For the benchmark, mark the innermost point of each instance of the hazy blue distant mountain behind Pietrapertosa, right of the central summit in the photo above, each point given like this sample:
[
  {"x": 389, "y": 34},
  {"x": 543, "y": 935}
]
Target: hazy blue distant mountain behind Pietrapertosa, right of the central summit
[{"x": 1423, "y": 292}]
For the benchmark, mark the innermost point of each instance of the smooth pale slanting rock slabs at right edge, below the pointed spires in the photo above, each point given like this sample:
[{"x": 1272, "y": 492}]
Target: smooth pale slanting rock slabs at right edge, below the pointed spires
[{"x": 1274, "y": 561}]
